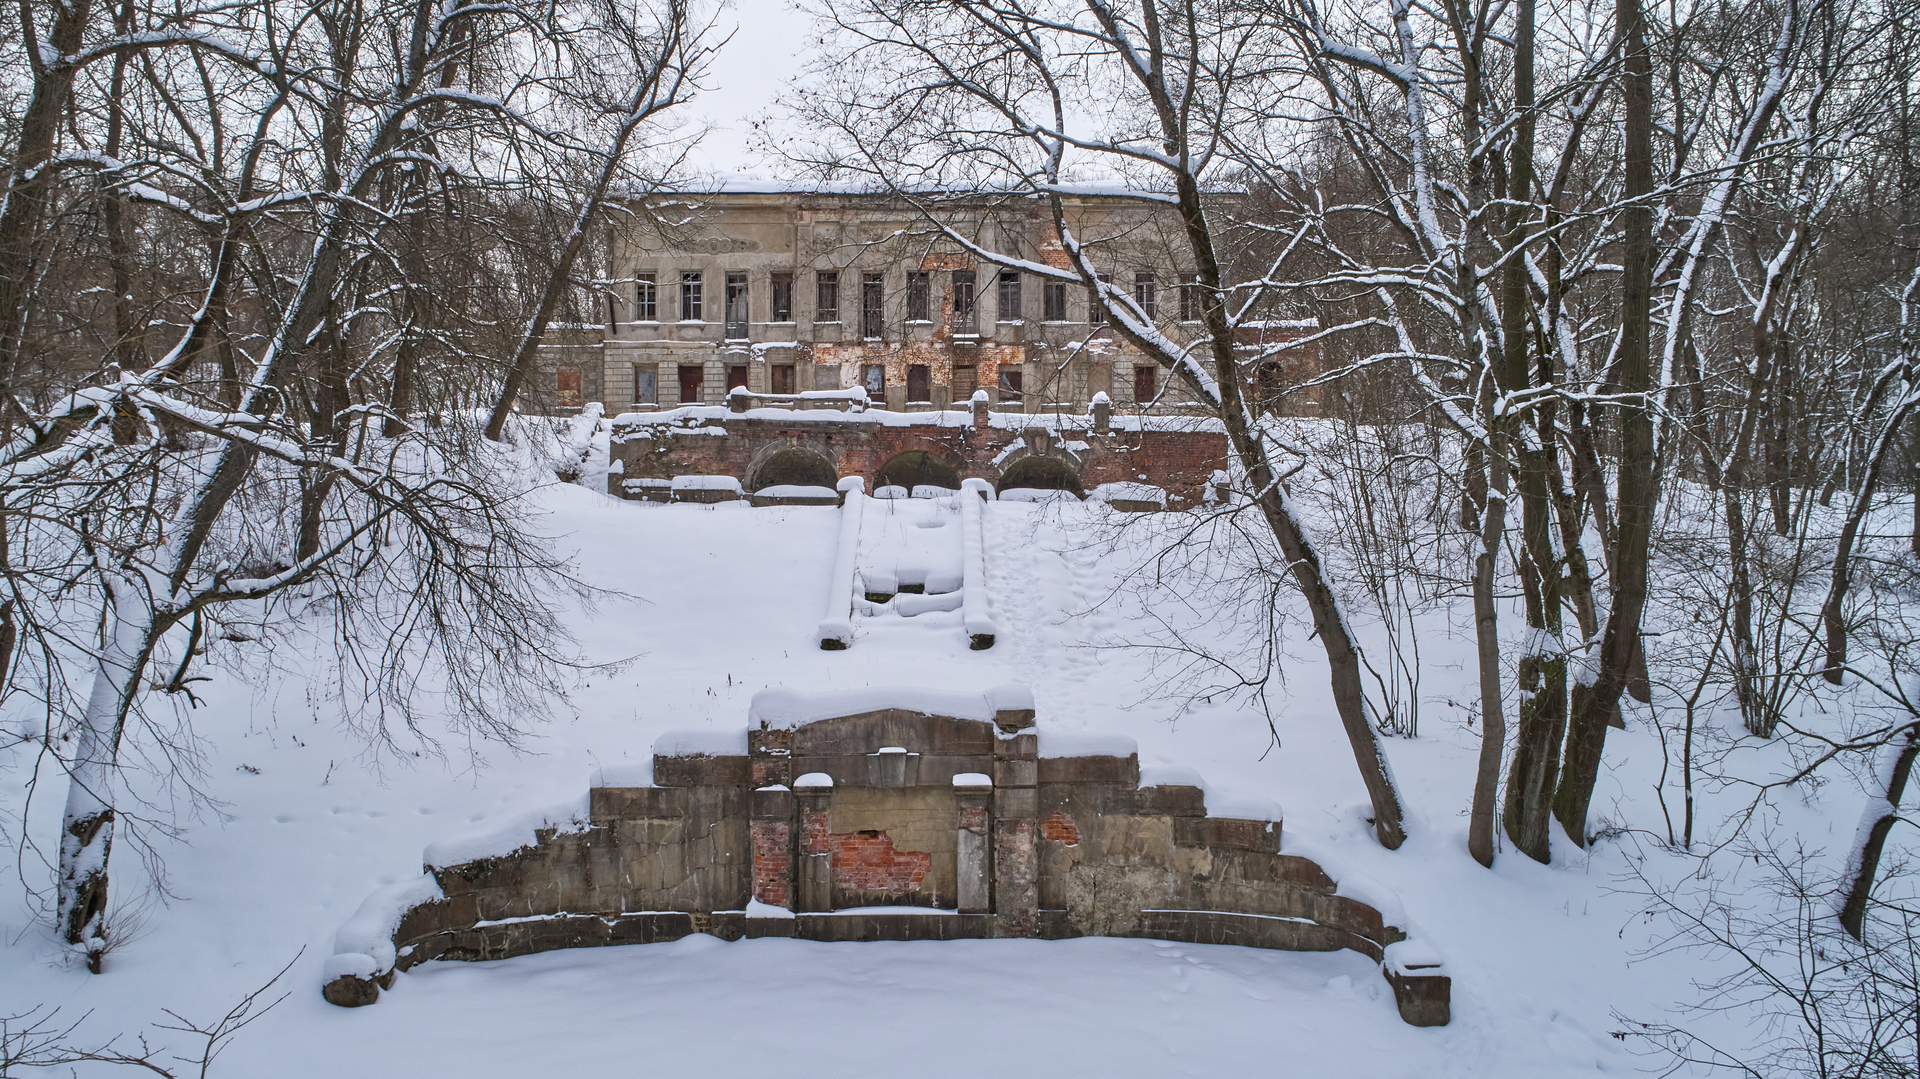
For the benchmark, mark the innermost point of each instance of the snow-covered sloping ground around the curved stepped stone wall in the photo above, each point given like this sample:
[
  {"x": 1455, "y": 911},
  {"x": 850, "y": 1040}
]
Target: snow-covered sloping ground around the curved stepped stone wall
[{"x": 723, "y": 602}]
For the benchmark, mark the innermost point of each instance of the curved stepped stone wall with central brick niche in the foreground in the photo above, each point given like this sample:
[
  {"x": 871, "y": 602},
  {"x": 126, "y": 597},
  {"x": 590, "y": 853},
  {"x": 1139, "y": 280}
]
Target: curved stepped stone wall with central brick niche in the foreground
[{"x": 911, "y": 811}]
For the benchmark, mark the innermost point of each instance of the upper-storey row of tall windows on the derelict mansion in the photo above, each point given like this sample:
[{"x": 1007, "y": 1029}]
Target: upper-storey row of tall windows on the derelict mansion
[{"x": 873, "y": 299}]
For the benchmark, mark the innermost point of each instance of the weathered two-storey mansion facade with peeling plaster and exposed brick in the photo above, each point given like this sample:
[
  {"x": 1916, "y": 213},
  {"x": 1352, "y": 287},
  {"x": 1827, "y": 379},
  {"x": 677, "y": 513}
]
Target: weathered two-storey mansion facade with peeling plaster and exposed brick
[{"x": 786, "y": 293}]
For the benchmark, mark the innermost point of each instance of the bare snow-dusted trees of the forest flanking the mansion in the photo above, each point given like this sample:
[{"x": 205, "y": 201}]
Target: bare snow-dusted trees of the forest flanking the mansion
[{"x": 1629, "y": 291}]
